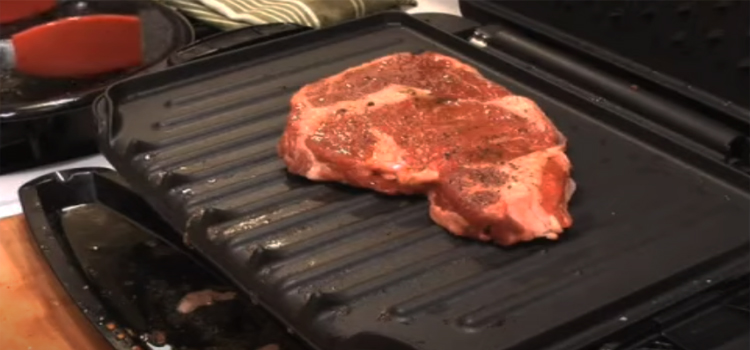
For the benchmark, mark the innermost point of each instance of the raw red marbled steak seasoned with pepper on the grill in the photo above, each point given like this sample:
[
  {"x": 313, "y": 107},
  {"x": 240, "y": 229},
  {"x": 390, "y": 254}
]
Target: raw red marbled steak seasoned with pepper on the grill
[{"x": 491, "y": 163}]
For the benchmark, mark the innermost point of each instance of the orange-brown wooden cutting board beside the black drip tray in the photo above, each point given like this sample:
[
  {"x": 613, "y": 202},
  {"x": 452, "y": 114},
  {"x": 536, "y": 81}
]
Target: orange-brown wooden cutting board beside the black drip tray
[{"x": 35, "y": 311}]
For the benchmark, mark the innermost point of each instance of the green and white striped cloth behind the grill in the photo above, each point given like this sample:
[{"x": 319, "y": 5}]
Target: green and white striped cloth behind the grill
[{"x": 233, "y": 14}]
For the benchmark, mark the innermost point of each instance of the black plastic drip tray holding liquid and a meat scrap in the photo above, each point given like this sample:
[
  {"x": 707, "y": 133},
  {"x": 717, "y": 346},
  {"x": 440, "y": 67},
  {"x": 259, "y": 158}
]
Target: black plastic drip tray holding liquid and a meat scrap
[{"x": 129, "y": 281}]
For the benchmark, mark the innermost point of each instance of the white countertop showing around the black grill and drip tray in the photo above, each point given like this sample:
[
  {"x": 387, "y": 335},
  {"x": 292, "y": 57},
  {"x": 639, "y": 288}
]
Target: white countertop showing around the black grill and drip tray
[{"x": 10, "y": 183}]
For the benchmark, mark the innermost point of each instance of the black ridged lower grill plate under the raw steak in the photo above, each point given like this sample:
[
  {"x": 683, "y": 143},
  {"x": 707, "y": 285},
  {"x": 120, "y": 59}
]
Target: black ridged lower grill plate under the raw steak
[{"x": 333, "y": 261}]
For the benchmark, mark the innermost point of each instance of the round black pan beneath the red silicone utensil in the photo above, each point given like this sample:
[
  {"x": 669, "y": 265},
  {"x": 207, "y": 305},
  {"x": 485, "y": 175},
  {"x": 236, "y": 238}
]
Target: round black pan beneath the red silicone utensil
[{"x": 46, "y": 120}]
